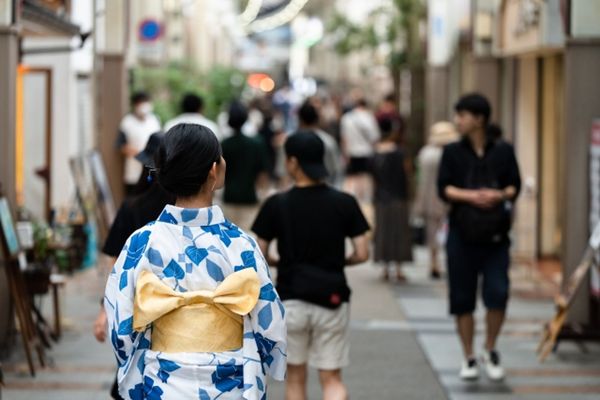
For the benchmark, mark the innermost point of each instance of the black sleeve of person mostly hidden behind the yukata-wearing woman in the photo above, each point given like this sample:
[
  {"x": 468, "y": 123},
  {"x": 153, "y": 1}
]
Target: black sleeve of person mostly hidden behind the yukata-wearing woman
[{"x": 134, "y": 214}]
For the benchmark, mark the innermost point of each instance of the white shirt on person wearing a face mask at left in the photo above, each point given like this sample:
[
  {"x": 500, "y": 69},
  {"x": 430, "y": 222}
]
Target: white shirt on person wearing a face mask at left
[{"x": 137, "y": 132}]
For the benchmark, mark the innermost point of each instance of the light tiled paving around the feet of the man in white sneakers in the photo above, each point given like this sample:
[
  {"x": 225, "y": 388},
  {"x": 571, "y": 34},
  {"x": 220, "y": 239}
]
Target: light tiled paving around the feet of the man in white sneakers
[{"x": 568, "y": 374}]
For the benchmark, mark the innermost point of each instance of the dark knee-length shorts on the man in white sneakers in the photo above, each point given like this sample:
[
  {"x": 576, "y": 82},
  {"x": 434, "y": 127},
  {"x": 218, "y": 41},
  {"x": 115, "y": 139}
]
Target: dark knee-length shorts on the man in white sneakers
[{"x": 466, "y": 262}]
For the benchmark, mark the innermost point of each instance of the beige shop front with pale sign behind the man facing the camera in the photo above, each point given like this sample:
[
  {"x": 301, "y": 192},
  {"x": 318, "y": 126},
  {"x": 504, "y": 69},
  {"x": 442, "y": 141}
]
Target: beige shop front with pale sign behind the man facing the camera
[{"x": 532, "y": 99}]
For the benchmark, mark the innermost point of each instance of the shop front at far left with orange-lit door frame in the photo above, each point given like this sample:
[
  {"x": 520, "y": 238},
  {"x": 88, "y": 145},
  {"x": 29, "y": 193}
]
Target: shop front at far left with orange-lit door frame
[{"x": 32, "y": 124}]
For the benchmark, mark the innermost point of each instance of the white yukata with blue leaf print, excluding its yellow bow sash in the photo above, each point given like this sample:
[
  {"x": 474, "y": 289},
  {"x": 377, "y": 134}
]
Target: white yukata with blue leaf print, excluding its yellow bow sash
[{"x": 193, "y": 249}]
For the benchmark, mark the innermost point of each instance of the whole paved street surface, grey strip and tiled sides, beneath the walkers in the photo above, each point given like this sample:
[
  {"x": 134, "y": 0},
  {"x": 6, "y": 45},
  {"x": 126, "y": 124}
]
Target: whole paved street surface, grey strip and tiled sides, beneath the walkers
[{"x": 403, "y": 347}]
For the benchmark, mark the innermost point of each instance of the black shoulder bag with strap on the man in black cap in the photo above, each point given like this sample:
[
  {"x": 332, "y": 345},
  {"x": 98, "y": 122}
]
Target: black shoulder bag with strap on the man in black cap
[{"x": 308, "y": 282}]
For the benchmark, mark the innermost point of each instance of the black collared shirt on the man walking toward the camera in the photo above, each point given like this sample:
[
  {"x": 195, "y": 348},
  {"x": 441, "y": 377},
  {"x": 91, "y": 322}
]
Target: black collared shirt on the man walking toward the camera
[{"x": 461, "y": 167}]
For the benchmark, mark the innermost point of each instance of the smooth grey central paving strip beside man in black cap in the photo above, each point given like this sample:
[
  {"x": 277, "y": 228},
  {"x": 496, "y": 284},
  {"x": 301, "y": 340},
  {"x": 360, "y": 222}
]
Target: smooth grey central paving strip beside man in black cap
[{"x": 387, "y": 362}]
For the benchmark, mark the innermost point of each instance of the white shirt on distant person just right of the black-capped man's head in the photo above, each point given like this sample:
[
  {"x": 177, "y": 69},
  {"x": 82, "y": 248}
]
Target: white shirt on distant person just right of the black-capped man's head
[{"x": 359, "y": 132}]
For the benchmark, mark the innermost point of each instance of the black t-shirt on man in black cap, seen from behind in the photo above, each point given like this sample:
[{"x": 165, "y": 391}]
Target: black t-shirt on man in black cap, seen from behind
[{"x": 311, "y": 225}]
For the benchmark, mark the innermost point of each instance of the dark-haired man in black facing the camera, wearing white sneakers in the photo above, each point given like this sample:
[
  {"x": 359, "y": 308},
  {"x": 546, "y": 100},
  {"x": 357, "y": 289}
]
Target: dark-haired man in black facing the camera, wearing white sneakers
[{"x": 479, "y": 177}]
